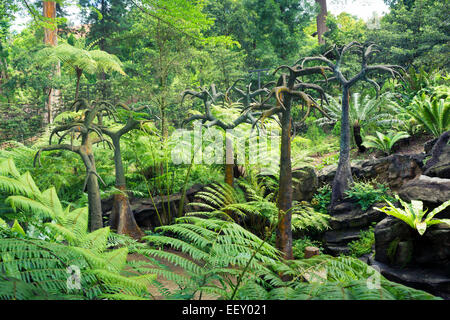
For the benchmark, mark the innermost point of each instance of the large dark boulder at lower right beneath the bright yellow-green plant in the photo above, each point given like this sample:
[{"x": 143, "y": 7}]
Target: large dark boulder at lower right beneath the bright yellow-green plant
[{"x": 404, "y": 256}]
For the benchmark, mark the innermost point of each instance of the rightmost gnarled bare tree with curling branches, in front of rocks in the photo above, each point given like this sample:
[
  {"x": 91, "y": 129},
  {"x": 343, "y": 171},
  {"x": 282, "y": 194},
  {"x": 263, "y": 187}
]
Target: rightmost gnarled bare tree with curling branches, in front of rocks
[{"x": 343, "y": 177}]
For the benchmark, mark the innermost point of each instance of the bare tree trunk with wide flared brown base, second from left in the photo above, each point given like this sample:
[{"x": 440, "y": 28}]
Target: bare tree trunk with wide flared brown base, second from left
[{"x": 122, "y": 218}]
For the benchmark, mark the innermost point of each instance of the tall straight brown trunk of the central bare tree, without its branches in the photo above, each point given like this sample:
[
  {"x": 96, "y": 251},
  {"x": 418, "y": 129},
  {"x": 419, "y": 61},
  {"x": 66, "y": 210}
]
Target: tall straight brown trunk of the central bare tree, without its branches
[{"x": 284, "y": 230}]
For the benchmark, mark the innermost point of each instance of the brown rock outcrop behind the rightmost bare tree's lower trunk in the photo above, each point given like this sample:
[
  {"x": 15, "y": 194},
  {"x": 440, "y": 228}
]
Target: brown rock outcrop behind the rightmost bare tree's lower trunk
[{"x": 394, "y": 170}]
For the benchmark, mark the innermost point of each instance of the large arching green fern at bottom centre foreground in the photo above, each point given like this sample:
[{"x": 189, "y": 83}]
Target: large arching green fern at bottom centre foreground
[{"x": 218, "y": 251}]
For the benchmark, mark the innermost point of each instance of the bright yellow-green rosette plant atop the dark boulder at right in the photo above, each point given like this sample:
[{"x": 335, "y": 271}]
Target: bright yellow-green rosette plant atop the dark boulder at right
[{"x": 414, "y": 215}]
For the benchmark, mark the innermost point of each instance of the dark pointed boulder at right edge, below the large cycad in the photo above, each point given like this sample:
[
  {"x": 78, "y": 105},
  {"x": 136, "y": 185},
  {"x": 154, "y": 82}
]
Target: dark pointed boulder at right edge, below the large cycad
[{"x": 439, "y": 163}]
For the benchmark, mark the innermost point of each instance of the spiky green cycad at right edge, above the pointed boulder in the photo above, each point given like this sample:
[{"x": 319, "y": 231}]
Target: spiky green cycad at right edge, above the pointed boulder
[{"x": 432, "y": 114}]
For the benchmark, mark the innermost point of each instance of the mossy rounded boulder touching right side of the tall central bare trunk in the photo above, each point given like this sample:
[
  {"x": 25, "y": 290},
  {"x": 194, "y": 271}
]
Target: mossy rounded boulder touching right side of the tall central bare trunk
[{"x": 305, "y": 183}]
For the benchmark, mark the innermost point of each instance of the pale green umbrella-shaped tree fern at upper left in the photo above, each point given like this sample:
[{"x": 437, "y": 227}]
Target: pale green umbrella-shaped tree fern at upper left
[{"x": 82, "y": 58}]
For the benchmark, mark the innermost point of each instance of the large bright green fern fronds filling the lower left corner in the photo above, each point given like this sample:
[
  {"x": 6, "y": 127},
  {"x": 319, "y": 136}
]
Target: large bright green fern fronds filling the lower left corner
[{"x": 44, "y": 264}]
